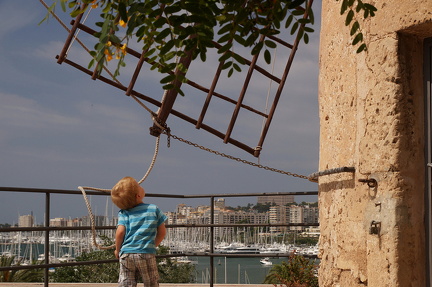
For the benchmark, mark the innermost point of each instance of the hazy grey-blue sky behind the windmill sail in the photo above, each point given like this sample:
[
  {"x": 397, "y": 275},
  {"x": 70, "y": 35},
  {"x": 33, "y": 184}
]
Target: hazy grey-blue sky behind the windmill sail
[{"x": 59, "y": 129}]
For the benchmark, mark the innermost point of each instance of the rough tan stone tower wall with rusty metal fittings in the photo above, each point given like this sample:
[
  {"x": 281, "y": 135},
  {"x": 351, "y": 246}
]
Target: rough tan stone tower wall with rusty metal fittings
[{"x": 372, "y": 118}]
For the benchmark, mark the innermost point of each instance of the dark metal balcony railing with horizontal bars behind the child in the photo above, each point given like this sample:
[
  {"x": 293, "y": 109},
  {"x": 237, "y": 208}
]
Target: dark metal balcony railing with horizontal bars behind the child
[{"x": 211, "y": 252}]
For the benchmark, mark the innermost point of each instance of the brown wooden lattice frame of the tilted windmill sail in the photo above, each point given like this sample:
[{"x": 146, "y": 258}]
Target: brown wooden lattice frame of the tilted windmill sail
[{"x": 166, "y": 104}]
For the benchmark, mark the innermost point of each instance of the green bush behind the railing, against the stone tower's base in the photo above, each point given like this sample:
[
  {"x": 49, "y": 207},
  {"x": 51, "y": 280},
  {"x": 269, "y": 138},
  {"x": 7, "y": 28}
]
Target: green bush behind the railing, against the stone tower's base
[{"x": 298, "y": 271}]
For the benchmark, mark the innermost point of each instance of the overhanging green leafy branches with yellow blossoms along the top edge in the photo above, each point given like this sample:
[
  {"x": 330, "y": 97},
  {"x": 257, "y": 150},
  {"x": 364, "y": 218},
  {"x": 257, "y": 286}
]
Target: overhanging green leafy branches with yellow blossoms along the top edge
[{"x": 168, "y": 30}]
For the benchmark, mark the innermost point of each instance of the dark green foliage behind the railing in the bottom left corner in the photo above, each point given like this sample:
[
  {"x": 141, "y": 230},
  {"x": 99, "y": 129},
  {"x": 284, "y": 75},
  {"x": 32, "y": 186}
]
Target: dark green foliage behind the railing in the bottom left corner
[{"x": 24, "y": 275}]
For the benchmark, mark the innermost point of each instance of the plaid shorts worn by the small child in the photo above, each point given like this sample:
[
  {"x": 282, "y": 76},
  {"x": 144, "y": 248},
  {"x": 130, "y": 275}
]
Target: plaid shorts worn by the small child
[{"x": 133, "y": 264}]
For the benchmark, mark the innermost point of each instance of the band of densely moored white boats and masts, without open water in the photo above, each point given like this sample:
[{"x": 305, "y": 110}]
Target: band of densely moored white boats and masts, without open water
[{"x": 65, "y": 247}]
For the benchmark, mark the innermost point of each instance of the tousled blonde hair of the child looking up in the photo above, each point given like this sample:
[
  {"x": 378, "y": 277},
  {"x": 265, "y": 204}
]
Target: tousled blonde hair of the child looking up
[{"x": 123, "y": 194}]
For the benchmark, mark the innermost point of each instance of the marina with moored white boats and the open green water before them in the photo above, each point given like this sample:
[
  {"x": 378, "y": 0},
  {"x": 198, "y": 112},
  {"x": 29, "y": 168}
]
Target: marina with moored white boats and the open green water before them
[{"x": 66, "y": 246}]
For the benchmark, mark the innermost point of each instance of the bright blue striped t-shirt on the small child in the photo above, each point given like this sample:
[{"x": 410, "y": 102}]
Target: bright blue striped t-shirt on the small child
[{"x": 141, "y": 224}]
